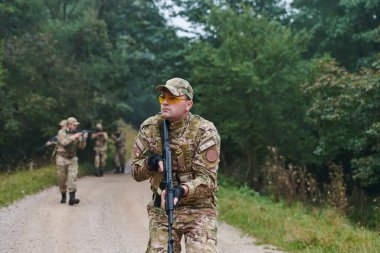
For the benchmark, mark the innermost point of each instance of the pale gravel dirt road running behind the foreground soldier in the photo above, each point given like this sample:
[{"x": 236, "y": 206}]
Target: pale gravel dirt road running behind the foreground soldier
[{"x": 111, "y": 217}]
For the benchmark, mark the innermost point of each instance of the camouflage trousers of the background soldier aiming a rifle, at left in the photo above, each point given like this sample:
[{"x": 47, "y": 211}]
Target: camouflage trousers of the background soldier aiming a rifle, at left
[{"x": 67, "y": 171}]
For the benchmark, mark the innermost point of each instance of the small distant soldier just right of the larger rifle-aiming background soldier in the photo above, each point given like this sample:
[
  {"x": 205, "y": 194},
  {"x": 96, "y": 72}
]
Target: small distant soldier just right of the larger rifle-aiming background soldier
[{"x": 101, "y": 138}]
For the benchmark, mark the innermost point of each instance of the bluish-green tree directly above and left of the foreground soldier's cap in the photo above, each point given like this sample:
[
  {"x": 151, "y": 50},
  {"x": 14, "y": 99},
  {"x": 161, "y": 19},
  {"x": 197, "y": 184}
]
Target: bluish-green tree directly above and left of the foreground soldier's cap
[{"x": 149, "y": 51}]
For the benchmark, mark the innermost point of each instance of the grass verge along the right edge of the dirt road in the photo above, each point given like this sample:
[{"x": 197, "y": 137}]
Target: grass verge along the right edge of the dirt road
[{"x": 293, "y": 228}]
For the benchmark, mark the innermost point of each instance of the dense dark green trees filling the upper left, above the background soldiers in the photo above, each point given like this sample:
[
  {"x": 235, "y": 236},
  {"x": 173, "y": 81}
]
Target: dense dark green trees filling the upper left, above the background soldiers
[{"x": 95, "y": 60}]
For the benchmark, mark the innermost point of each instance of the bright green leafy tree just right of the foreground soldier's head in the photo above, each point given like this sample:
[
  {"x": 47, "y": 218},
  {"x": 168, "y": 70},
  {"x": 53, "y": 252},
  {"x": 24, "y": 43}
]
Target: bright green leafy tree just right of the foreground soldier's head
[{"x": 247, "y": 83}]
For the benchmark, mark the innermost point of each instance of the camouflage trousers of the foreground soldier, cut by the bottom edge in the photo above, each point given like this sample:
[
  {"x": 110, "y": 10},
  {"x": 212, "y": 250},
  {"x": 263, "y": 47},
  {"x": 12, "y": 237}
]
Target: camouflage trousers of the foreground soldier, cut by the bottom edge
[{"x": 199, "y": 226}]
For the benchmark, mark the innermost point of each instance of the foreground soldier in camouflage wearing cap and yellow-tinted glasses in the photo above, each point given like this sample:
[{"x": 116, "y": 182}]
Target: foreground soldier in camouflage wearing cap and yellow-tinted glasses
[{"x": 195, "y": 148}]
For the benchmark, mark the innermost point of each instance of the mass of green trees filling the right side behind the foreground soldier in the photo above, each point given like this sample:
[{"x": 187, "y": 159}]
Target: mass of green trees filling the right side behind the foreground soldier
[{"x": 267, "y": 68}]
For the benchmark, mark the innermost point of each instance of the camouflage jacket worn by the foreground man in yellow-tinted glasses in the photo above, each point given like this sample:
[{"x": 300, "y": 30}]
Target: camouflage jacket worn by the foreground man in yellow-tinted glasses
[{"x": 195, "y": 147}]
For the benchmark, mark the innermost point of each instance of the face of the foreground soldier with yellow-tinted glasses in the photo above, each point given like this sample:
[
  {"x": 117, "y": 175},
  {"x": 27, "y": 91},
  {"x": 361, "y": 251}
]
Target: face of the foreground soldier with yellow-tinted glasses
[{"x": 175, "y": 111}]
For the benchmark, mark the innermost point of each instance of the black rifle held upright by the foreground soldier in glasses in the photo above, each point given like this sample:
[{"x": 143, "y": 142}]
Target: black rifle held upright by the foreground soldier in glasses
[{"x": 168, "y": 177}]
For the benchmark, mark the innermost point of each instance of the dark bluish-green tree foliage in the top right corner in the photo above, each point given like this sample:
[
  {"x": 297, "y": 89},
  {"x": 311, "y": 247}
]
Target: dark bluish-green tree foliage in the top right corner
[{"x": 347, "y": 30}]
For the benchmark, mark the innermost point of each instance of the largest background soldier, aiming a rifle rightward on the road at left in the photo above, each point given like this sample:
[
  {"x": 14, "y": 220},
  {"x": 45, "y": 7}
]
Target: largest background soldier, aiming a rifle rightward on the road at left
[{"x": 67, "y": 160}]
